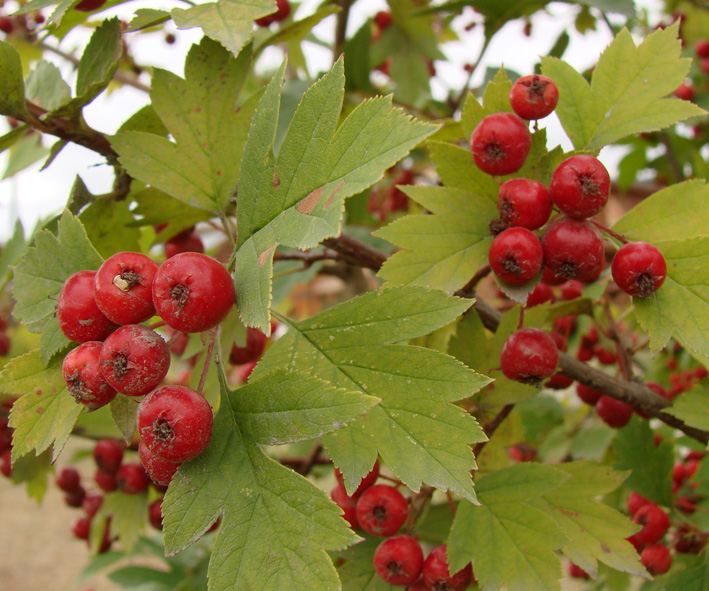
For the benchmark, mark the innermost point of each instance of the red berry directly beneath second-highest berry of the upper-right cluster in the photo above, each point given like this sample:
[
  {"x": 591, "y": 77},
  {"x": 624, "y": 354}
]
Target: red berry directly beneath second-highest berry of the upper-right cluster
[{"x": 525, "y": 203}]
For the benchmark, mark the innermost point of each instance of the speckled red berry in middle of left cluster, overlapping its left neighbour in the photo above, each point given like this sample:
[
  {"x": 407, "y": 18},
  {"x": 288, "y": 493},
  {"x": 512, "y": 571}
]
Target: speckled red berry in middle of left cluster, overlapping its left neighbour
[{"x": 135, "y": 359}]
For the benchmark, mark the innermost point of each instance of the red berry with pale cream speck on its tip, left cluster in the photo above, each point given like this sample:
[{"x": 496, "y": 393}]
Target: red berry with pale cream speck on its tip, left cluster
[{"x": 123, "y": 287}]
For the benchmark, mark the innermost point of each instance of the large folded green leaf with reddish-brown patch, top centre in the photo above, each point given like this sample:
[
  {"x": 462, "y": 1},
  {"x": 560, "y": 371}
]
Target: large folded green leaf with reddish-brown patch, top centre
[{"x": 297, "y": 199}]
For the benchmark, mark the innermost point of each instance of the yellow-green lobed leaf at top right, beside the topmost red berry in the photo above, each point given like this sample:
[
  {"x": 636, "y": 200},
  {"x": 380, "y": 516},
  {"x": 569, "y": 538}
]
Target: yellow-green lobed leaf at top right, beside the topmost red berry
[{"x": 628, "y": 91}]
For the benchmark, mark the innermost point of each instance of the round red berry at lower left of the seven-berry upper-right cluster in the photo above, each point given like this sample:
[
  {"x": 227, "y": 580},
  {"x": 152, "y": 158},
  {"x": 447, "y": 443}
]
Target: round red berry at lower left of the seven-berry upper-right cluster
[{"x": 516, "y": 256}]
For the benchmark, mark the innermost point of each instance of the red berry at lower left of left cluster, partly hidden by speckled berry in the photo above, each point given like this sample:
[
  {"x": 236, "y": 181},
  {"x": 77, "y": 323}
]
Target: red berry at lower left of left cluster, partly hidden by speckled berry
[{"x": 81, "y": 370}]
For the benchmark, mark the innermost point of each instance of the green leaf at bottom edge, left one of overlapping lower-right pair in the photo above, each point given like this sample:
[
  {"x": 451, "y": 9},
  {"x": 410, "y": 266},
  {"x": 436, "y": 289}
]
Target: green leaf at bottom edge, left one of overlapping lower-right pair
[{"x": 510, "y": 540}]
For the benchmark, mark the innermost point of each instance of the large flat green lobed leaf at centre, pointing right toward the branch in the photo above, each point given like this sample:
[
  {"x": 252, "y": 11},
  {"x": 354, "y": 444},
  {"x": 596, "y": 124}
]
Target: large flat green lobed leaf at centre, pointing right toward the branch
[{"x": 420, "y": 435}]
